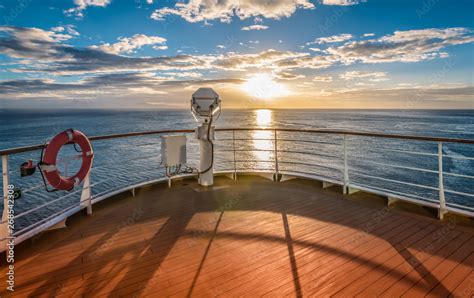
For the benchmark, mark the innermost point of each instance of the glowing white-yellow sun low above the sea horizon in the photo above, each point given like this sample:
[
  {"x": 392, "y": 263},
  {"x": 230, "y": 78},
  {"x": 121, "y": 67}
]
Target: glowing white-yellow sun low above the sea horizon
[{"x": 263, "y": 86}]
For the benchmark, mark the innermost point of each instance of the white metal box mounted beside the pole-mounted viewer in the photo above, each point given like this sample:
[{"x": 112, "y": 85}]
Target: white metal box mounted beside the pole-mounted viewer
[{"x": 173, "y": 150}]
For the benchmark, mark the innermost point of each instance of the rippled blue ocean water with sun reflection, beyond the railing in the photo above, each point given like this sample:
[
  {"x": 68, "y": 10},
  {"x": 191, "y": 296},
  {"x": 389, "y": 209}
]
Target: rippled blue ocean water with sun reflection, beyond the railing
[{"x": 127, "y": 161}]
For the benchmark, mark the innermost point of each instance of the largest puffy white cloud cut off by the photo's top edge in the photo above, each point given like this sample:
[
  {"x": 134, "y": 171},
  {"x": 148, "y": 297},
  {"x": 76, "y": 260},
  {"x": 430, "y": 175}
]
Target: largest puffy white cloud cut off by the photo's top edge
[{"x": 208, "y": 10}]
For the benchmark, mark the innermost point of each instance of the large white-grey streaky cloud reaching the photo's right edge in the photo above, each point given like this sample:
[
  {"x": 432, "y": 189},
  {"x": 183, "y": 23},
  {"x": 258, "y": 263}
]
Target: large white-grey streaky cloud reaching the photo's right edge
[{"x": 403, "y": 46}]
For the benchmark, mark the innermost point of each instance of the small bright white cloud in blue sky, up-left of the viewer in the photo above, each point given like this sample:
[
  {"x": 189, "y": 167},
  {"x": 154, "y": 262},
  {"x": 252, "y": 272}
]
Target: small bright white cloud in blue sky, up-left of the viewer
[{"x": 129, "y": 45}]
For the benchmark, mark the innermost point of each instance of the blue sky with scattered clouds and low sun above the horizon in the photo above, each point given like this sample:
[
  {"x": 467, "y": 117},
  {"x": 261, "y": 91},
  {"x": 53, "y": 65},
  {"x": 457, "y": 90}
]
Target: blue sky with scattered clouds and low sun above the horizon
[{"x": 153, "y": 54}]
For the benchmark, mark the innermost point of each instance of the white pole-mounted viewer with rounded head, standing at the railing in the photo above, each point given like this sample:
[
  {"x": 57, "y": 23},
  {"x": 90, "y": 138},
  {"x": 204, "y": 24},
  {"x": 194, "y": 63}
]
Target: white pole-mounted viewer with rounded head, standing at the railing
[{"x": 206, "y": 108}]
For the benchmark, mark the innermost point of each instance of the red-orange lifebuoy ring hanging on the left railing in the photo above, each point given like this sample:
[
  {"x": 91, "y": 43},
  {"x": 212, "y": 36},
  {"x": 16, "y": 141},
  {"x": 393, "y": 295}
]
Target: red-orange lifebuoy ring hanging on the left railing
[{"x": 48, "y": 163}]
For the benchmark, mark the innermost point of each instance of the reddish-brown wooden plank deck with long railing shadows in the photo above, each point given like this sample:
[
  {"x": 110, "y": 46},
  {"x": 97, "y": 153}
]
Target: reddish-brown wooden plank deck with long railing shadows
[{"x": 252, "y": 237}]
